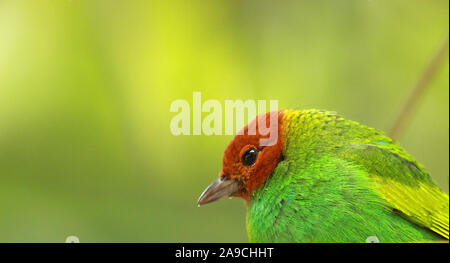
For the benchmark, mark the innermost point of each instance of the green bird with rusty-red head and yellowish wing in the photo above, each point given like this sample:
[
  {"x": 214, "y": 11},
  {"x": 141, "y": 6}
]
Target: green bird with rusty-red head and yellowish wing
[{"x": 327, "y": 179}]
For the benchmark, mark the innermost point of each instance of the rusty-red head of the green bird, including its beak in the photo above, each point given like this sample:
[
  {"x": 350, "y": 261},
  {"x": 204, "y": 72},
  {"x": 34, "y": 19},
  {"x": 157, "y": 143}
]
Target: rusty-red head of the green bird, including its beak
[{"x": 248, "y": 160}]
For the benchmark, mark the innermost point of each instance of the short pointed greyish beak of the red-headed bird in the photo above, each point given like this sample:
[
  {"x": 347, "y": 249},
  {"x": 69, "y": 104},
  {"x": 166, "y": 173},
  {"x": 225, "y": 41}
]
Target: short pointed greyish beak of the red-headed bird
[{"x": 218, "y": 189}]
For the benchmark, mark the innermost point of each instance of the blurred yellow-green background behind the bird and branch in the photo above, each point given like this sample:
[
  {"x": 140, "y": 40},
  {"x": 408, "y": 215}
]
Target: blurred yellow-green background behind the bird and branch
[{"x": 85, "y": 90}]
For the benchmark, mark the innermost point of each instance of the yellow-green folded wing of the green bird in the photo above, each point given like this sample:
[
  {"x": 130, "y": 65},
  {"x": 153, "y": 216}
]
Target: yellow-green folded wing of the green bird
[{"x": 403, "y": 183}]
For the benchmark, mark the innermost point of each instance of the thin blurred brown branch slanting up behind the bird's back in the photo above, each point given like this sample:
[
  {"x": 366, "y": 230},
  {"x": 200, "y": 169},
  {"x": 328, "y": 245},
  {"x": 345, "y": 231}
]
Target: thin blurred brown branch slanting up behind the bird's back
[{"x": 419, "y": 88}]
